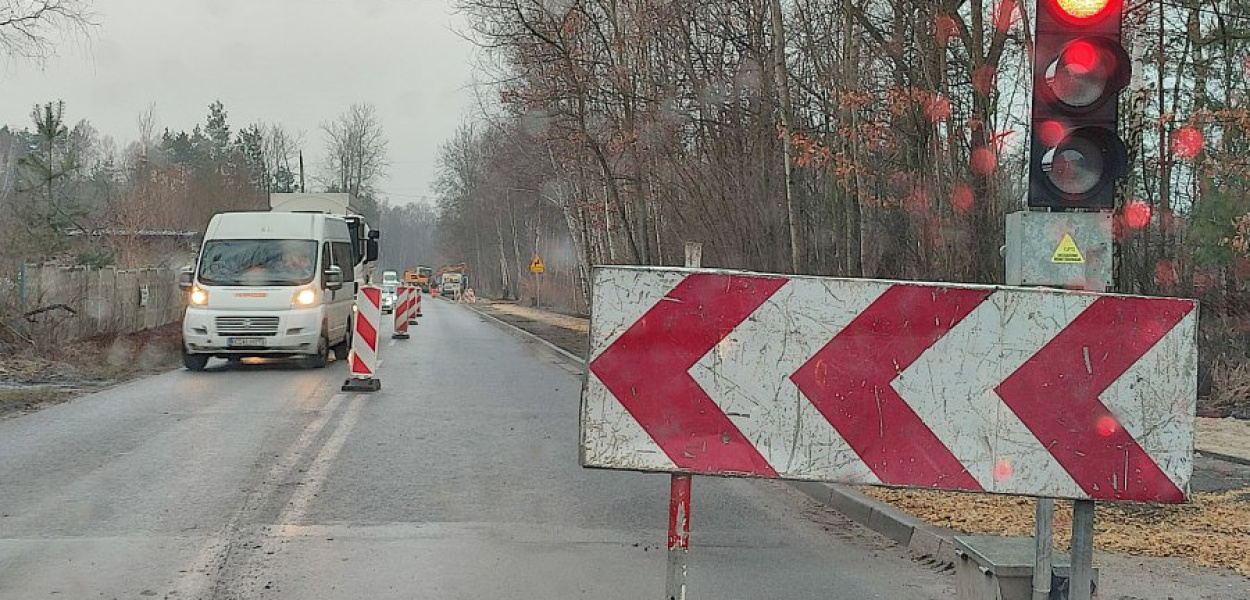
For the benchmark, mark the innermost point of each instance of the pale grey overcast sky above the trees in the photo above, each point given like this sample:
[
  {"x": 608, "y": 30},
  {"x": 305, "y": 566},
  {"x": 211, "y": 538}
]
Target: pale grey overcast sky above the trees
[{"x": 293, "y": 62}]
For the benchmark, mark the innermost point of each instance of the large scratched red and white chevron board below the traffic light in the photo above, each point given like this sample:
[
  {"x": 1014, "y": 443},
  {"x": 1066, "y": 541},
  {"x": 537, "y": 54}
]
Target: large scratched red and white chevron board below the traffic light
[{"x": 916, "y": 386}]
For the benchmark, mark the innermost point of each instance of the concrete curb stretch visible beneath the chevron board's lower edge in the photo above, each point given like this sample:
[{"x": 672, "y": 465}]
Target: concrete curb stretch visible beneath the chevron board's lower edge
[{"x": 918, "y": 537}]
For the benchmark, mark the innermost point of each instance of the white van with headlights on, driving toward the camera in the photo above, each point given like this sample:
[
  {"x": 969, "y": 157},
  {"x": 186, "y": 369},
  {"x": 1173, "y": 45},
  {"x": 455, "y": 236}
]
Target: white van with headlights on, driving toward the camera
[{"x": 272, "y": 284}]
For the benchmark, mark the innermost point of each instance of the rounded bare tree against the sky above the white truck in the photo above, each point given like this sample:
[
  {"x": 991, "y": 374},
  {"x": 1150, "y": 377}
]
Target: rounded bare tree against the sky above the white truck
[{"x": 357, "y": 152}]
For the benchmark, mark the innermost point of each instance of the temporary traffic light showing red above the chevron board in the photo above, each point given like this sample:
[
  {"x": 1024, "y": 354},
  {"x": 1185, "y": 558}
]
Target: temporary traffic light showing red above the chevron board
[{"x": 1079, "y": 69}]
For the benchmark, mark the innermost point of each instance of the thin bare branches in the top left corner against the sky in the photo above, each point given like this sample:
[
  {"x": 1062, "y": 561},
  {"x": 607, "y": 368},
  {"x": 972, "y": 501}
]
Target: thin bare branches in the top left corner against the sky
[{"x": 28, "y": 28}]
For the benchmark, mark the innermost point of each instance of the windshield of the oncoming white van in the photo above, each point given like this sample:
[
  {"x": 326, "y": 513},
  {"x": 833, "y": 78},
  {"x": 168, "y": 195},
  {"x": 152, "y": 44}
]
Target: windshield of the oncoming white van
[{"x": 258, "y": 262}]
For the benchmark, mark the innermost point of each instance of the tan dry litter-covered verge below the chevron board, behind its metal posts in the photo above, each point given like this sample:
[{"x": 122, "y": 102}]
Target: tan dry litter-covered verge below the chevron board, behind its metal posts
[{"x": 1213, "y": 532}]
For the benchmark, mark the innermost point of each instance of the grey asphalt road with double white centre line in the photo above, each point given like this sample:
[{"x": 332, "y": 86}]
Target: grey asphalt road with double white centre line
[{"x": 461, "y": 479}]
